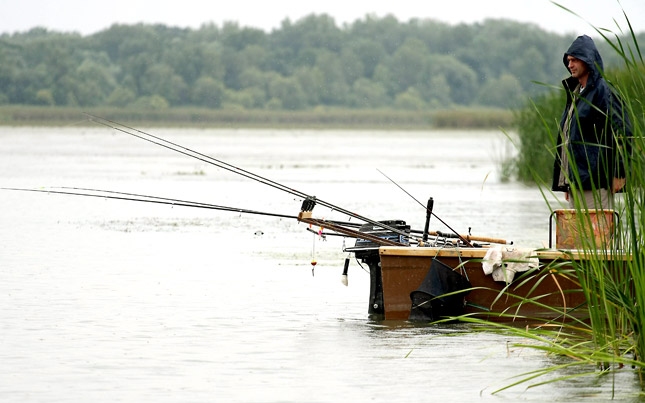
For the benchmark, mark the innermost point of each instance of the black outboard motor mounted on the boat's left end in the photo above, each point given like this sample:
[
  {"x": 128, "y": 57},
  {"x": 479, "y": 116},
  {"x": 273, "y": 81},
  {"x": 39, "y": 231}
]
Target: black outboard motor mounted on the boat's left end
[{"x": 367, "y": 252}]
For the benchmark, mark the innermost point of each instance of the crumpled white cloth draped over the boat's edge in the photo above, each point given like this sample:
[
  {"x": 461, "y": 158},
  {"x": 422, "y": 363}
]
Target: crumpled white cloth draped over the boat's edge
[{"x": 502, "y": 262}]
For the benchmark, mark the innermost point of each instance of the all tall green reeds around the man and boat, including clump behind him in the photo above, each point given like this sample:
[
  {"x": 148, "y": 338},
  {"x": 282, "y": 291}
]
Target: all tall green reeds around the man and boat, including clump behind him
[{"x": 611, "y": 274}]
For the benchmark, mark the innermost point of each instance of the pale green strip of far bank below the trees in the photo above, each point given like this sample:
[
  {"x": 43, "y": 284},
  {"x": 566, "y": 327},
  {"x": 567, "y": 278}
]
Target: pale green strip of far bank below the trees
[{"x": 386, "y": 119}]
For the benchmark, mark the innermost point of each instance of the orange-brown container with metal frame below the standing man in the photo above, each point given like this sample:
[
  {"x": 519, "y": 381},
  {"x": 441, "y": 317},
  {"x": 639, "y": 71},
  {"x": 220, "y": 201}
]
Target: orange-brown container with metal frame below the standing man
[{"x": 570, "y": 235}]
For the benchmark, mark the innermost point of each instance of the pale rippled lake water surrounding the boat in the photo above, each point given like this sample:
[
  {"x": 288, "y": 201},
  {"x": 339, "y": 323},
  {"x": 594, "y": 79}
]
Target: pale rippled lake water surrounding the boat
[{"x": 117, "y": 301}]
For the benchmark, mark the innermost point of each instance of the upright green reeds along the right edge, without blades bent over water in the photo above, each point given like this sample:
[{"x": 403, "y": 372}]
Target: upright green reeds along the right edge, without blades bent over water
[{"x": 613, "y": 275}]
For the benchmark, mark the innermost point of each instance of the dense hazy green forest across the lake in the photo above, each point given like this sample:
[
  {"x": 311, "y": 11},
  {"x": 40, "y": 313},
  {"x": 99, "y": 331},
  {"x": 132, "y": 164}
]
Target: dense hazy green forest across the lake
[{"x": 372, "y": 63}]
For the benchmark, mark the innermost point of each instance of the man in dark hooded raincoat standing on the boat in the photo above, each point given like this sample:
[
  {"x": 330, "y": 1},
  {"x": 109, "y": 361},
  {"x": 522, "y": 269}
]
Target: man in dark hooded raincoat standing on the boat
[{"x": 594, "y": 133}]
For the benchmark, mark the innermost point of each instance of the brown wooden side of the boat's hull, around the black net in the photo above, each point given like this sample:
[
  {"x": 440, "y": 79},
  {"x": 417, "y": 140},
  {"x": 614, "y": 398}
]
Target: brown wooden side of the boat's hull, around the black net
[{"x": 554, "y": 286}]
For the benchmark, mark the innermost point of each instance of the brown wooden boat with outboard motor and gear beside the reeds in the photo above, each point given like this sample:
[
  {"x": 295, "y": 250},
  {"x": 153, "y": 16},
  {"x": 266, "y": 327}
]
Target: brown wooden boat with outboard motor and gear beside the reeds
[{"x": 451, "y": 275}]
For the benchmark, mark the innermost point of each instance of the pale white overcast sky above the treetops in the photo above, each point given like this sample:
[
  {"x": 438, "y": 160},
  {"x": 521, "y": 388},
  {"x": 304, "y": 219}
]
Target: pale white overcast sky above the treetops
[{"x": 87, "y": 16}]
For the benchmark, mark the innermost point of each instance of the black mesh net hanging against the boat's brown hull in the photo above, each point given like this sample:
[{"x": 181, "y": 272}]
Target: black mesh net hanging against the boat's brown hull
[{"x": 427, "y": 301}]
